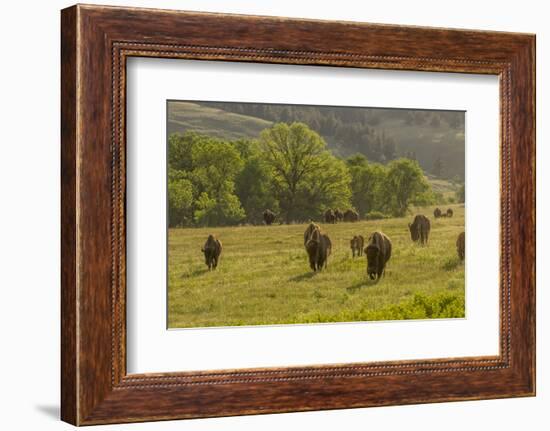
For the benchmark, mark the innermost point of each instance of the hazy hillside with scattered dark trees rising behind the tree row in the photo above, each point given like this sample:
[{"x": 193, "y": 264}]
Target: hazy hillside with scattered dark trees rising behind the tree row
[{"x": 434, "y": 138}]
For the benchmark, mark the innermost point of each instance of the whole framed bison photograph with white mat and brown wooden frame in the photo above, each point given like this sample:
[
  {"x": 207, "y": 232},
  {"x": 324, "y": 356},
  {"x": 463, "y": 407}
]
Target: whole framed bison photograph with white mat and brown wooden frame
[{"x": 263, "y": 215}]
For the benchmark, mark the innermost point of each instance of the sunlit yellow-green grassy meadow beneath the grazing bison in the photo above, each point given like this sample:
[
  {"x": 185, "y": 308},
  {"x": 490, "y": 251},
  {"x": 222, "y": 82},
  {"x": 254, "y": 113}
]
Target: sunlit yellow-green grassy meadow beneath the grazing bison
[{"x": 264, "y": 277}]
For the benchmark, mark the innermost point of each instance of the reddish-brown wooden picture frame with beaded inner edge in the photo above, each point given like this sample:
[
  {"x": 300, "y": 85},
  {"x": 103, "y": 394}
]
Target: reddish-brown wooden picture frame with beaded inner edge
[{"x": 95, "y": 43}]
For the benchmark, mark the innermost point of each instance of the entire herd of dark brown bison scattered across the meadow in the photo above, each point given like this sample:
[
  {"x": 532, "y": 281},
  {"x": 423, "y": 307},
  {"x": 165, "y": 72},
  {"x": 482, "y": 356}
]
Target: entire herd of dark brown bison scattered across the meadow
[{"x": 318, "y": 245}]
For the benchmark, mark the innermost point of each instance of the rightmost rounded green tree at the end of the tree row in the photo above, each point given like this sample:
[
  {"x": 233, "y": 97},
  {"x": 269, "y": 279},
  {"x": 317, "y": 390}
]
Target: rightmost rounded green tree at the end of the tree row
[{"x": 404, "y": 181}]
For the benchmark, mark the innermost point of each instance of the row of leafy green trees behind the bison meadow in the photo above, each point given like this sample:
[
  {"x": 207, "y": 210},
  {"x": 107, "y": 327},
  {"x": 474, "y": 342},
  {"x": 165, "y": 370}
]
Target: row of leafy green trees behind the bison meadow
[{"x": 288, "y": 169}]
